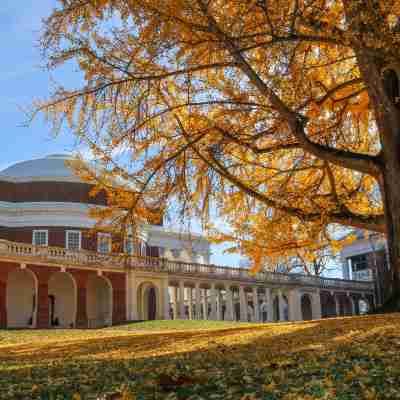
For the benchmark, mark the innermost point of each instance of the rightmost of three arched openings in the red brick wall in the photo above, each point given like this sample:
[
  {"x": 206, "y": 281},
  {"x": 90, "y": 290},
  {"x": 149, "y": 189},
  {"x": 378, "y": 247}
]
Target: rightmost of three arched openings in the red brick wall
[{"x": 99, "y": 302}]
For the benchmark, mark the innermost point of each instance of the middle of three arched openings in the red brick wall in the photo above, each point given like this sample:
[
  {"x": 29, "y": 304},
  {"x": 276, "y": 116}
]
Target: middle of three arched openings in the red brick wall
[{"x": 62, "y": 292}]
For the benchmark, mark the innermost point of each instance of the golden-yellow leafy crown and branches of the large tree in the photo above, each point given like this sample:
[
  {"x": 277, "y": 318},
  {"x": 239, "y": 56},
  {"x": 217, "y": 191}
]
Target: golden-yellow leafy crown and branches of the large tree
[{"x": 282, "y": 110}]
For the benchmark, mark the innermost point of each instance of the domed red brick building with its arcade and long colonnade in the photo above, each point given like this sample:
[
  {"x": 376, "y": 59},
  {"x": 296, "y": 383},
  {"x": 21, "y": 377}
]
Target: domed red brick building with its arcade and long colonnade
[{"x": 54, "y": 274}]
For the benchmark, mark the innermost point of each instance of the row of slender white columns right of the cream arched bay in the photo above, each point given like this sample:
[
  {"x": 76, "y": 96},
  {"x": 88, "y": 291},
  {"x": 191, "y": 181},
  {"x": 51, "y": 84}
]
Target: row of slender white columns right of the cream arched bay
[{"x": 216, "y": 301}]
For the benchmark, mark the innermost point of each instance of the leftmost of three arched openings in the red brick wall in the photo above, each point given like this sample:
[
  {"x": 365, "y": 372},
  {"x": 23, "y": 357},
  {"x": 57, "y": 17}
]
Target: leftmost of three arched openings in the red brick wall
[{"x": 21, "y": 299}]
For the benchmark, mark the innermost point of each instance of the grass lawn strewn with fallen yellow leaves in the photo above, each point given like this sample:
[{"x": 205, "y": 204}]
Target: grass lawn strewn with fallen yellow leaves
[{"x": 344, "y": 358}]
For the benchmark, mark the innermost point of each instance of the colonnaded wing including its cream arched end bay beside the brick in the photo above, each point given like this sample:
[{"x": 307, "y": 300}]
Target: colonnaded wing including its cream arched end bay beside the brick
[{"x": 173, "y": 297}]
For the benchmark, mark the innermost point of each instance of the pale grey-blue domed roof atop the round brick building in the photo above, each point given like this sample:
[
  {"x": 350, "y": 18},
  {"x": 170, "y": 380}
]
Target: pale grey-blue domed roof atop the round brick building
[{"x": 50, "y": 168}]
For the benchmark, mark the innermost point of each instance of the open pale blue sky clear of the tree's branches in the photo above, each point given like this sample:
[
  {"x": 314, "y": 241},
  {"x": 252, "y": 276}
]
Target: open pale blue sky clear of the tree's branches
[{"x": 23, "y": 79}]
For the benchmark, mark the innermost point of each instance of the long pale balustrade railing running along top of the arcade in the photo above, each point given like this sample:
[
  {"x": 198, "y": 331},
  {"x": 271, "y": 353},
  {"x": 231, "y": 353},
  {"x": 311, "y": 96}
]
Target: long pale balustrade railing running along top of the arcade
[{"x": 30, "y": 253}]
